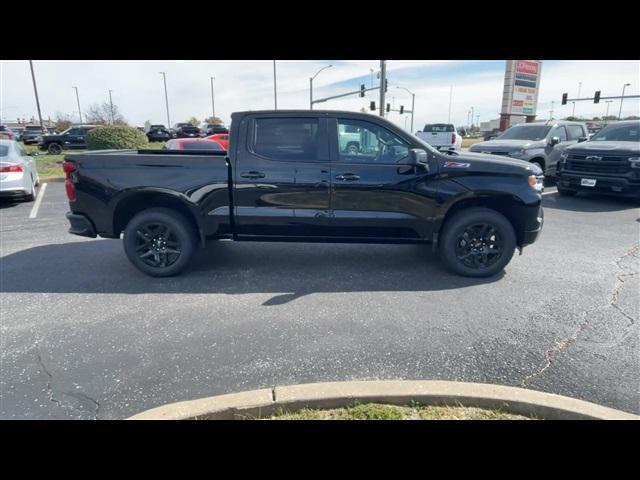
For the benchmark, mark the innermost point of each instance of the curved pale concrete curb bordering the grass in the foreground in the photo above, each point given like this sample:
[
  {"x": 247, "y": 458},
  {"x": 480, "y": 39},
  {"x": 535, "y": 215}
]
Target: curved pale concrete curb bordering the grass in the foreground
[{"x": 255, "y": 403}]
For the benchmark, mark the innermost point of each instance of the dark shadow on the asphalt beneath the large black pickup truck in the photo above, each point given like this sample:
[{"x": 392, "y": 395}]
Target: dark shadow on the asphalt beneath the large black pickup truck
[{"x": 286, "y": 270}]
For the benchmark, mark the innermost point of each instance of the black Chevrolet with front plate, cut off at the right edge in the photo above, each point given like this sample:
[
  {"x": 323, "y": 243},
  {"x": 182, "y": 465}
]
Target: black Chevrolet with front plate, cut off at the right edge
[{"x": 608, "y": 163}]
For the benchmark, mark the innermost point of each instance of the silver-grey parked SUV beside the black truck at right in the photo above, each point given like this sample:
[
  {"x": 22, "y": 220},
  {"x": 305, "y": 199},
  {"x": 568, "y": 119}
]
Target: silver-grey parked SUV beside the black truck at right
[{"x": 541, "y": 143}]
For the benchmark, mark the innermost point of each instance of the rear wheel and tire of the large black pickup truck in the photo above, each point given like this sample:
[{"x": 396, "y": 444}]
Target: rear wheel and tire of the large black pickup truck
[{"x": 163, "y": 229}]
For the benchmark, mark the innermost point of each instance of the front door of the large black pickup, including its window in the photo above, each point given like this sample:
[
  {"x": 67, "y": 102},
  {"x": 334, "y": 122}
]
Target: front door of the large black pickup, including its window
[{"x": 375, "y": 195}]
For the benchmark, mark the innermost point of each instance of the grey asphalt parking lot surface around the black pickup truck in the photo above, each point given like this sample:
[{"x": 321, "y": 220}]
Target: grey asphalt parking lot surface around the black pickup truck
[{"x": 85, "y": 335}]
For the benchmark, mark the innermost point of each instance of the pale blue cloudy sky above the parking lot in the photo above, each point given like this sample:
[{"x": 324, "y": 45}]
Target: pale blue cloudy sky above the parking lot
[{"x": 138, "y": 91}]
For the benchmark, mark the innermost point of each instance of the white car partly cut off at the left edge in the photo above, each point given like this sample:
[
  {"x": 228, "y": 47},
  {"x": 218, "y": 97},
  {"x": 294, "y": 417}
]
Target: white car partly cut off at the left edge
[{"x": 18, "y": 173}]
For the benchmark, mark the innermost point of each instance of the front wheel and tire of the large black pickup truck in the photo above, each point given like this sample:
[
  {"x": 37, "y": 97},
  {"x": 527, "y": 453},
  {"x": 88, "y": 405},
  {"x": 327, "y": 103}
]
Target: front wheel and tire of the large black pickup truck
[{"x": 472, "y": 230}]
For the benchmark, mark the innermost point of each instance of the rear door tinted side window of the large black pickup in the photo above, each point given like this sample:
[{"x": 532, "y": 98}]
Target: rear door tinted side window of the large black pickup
[{"x": 286, "y": 138}]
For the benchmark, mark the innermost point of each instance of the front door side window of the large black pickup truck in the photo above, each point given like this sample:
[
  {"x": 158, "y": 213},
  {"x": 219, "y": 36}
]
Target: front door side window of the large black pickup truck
[{"x": 365, "y": 142}]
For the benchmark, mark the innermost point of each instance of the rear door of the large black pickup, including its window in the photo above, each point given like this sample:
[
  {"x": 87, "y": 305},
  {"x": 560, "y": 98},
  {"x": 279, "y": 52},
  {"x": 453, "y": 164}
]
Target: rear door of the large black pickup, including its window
[{"x": 281, "y": 181}]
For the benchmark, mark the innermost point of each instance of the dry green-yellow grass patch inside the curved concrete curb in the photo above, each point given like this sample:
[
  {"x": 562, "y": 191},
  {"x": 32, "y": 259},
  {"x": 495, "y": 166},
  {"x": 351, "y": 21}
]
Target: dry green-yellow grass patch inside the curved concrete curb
[{"x": 375, "y": 411}]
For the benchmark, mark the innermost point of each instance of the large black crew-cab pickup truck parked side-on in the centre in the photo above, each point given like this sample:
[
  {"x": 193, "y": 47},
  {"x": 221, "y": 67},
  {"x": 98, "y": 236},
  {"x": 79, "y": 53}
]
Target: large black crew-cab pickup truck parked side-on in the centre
[{"x": 285, "y": 178}]
